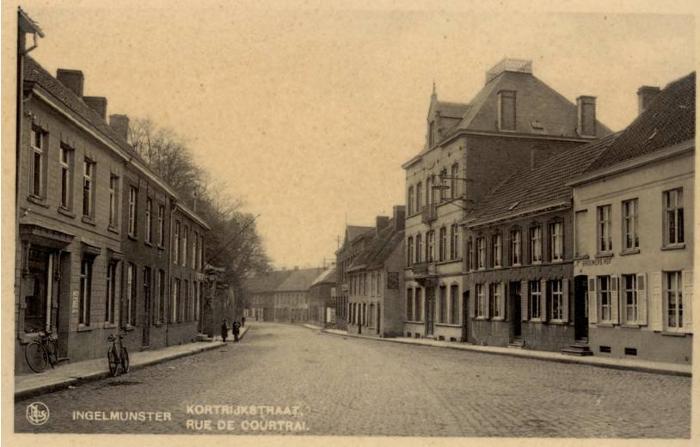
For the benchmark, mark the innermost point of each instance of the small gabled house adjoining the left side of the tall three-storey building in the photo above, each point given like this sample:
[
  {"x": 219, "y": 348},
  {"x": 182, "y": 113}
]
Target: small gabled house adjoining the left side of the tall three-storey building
[{"x": 375, "y": 278}]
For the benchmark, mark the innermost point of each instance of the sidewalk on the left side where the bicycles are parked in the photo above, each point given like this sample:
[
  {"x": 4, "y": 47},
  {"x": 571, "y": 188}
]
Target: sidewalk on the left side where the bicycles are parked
[{"x": 76, "y": 373}]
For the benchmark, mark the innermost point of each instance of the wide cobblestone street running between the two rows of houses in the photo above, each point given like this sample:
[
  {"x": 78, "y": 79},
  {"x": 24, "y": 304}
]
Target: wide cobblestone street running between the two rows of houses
[{"x": 347, "y": 386}]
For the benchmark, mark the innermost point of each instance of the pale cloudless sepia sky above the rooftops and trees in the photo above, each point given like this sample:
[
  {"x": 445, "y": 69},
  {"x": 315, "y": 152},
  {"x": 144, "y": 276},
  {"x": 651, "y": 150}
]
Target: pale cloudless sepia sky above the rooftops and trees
[{"x": 308, "y": 115}]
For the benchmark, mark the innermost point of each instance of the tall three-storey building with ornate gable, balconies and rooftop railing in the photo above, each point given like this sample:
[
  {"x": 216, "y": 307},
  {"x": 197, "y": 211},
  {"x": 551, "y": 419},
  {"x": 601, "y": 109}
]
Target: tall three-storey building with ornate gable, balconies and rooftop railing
[{"x": 514, "y": 121}]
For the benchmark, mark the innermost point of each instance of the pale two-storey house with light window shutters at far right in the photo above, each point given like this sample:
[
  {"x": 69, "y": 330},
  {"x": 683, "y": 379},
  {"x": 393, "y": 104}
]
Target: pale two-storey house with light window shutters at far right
[{"x": 634, "y": 232}]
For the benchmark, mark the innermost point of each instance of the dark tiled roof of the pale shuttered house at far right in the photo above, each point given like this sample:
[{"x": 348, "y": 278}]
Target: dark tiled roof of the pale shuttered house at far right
[{"x": 668, "y": 120}]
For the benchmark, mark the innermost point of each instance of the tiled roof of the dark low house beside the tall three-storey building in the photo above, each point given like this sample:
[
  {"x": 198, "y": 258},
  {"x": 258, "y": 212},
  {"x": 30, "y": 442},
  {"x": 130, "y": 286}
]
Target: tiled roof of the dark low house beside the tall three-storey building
[{"x": 530, "y": 189}]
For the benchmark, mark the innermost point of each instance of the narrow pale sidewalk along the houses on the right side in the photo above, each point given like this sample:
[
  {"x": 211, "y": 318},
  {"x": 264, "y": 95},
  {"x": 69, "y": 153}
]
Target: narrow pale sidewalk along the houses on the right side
[{"x": 604, "y": 362}]
